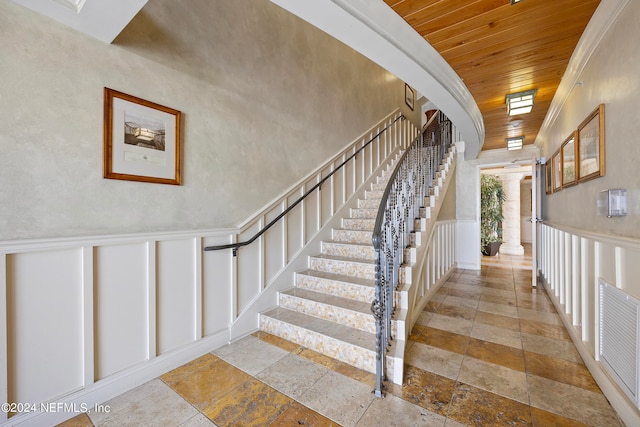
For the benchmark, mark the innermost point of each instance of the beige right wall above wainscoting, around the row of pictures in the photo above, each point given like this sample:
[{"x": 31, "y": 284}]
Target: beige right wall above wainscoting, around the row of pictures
[{"x": 610, "y": 77}]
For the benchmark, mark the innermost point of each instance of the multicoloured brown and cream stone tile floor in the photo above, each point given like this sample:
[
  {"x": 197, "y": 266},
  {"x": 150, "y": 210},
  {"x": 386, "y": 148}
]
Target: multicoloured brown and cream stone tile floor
[{"x": 487, "y": 351}]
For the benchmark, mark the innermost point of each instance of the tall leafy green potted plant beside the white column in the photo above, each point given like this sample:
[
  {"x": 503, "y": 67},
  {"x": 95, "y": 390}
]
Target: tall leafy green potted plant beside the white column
[{"x": 492, "y": 198}]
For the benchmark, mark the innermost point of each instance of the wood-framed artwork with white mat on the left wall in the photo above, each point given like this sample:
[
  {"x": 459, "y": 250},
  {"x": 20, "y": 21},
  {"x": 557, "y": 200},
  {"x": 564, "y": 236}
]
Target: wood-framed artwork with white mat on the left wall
[{"x": 141, "y": 140}]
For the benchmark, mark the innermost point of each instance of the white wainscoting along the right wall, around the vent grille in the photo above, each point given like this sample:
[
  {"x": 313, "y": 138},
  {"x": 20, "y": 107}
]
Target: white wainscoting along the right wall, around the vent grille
[{"x": 572, "y": 263}]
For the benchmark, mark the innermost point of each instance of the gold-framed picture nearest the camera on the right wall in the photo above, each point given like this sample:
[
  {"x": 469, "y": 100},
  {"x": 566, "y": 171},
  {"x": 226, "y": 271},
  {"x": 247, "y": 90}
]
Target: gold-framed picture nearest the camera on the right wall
[{"x": 591, "y": 158}]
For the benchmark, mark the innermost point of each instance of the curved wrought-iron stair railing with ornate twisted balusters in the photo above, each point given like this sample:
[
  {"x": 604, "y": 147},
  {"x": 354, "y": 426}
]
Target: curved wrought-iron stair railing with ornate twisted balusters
[{"x": 403, "y": 197}]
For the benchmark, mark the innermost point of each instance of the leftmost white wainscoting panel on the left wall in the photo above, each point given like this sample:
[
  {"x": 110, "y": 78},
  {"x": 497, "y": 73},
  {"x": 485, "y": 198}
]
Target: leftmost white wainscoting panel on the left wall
[{"x": 44, "y": 324}]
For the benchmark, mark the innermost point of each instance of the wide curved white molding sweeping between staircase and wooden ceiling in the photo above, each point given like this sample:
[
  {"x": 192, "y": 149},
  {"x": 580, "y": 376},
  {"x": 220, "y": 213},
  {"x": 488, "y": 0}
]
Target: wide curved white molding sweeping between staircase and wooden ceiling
[{"x": 373, "y": 29}]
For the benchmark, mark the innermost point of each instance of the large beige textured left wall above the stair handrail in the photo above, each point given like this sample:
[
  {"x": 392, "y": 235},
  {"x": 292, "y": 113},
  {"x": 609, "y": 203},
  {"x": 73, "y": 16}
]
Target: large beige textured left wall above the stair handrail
[{"x": 265, "y": 97}]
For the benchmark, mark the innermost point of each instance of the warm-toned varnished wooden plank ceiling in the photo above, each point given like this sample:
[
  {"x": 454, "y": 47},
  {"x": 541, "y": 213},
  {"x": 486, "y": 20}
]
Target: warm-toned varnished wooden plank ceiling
[{"x": 499, "y": 48}]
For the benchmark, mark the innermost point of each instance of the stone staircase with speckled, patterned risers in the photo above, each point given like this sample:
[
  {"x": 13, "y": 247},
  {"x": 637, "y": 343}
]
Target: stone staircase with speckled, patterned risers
[{"x": 328, "y": 309}]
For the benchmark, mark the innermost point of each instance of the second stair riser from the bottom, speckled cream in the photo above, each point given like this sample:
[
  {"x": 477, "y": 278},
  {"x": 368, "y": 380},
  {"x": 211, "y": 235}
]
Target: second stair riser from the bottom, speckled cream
[{"x": 362, "y": 321}]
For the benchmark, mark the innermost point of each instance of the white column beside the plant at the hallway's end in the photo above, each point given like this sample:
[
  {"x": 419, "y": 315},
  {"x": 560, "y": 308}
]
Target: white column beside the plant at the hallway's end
[{"x": 511, "y": 211}]
